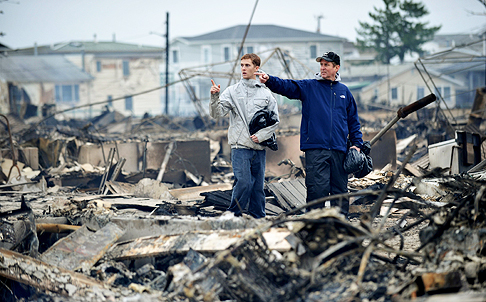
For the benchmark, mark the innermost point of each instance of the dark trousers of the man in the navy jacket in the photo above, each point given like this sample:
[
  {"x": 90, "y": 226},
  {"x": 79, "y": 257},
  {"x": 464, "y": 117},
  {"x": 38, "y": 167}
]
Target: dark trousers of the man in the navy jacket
[{"x": 325, "y": 176}]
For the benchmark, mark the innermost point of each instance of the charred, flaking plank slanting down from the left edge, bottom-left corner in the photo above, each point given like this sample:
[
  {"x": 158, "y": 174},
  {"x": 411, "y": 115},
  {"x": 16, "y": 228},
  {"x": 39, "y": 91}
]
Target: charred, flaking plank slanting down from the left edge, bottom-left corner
[{"x": 44, "y": 276}]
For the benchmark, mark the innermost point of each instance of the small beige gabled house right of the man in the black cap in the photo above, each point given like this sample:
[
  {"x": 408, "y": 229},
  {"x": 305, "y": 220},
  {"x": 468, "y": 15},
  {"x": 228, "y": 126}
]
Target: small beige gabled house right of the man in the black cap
[{"x": 409, "y": 85}]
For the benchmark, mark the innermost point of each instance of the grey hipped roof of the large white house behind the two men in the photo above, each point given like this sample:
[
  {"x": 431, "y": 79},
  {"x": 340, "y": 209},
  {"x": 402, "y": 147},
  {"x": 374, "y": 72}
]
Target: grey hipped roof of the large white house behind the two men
[{"x": 261, "y": 33}]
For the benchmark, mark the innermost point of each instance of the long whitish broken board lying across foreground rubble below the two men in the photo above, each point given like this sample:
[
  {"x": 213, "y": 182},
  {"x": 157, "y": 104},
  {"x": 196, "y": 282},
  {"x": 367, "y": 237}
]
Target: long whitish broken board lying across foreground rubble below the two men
[{"x": 202, "y": 241}]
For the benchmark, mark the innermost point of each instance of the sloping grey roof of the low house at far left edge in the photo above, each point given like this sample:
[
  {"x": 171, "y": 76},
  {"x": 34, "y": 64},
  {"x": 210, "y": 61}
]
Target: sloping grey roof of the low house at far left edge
[{"x": 37, "y": 69}]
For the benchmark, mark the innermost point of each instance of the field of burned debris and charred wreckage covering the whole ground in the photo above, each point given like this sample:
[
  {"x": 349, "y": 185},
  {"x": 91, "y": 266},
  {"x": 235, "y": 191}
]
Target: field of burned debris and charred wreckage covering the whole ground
[{"x": 134, "y": 210}]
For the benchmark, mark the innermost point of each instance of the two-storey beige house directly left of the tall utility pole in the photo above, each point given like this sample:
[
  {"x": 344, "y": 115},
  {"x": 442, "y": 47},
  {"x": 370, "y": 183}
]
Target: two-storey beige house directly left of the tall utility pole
[{"x": 122, "y": 74}]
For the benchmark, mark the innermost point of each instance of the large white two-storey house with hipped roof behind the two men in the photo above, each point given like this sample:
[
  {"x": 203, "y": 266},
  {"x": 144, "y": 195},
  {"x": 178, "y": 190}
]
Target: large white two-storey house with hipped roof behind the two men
[{"x": 284, "y": 51}]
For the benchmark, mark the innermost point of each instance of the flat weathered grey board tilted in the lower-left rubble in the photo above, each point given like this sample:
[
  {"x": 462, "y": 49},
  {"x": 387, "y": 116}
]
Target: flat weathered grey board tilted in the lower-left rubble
[{"x": 82, "y": 248}]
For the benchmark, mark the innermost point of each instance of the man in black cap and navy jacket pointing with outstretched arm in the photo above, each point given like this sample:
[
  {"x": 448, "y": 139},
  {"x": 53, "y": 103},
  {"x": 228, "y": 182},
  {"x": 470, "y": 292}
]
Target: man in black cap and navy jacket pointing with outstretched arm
[{"x": 329, "y": 118}]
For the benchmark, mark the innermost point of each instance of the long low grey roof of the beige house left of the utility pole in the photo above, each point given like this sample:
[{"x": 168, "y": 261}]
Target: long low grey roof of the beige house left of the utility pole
[{"x": 90, "y": 47}]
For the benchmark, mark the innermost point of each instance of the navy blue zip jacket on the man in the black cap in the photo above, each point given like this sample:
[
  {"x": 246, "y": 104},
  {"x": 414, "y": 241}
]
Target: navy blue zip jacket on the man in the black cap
[{"x": 329, "y": 112}]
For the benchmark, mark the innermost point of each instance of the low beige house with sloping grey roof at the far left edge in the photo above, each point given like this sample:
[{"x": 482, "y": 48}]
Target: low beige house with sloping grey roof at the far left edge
[{"x": 28, "y": 84}]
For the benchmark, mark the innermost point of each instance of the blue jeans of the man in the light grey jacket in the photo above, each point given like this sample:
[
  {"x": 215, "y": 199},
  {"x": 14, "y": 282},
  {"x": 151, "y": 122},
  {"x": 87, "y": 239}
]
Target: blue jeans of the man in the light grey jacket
[{"x": 248, "y": 188}]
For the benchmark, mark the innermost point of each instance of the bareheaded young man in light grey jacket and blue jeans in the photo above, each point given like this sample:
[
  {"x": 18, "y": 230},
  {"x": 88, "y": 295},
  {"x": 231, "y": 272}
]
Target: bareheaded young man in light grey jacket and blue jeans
[{"x": 241, "y": 101}]
